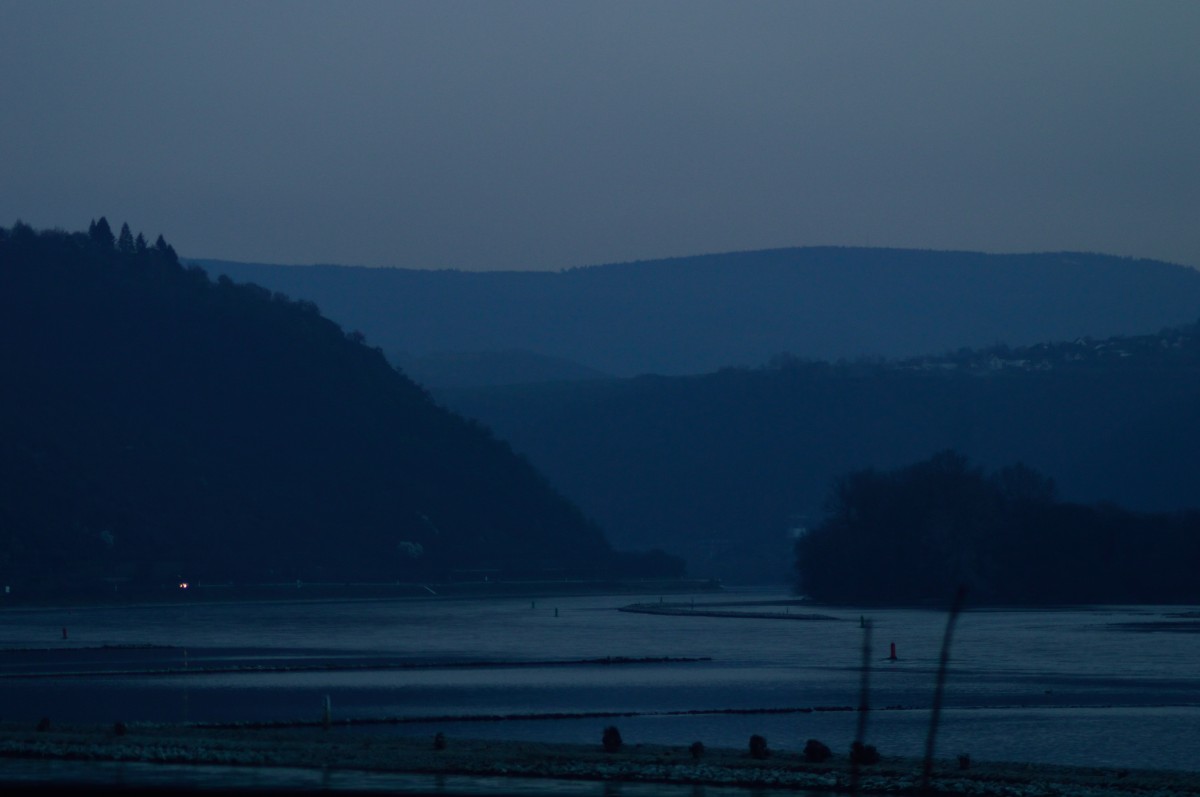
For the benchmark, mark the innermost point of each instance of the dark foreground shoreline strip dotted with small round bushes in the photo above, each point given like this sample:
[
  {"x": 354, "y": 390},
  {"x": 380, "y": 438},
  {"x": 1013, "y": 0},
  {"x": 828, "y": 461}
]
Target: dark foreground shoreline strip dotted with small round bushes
[{"x": 347, "y": 751}]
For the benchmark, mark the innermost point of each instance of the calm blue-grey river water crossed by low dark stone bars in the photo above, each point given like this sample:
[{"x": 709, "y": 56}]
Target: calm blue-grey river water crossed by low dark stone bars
[{"x": 1111, "y": 686}]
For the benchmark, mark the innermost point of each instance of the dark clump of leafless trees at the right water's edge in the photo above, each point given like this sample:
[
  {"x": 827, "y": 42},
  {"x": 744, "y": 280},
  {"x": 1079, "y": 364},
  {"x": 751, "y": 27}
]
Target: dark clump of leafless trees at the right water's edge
[{"x": 917, "y": 534}]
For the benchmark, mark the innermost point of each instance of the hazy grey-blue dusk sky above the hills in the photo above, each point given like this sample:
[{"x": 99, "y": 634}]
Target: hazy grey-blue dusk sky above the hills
[{"x": 549, "y": 135}]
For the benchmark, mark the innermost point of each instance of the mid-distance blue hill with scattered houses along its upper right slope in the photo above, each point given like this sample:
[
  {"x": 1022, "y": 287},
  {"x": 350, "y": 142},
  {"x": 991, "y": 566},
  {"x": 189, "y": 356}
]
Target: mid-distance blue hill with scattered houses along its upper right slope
[{"x": 724, "y": 468}]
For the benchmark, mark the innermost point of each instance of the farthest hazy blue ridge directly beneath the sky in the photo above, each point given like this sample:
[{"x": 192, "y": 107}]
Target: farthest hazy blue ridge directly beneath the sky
[{"x": 695, "y": 315}]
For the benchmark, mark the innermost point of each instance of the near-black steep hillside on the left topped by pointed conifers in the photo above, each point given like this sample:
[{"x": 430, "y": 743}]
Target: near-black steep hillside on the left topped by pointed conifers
[{"x": 158, "y": 426}]
